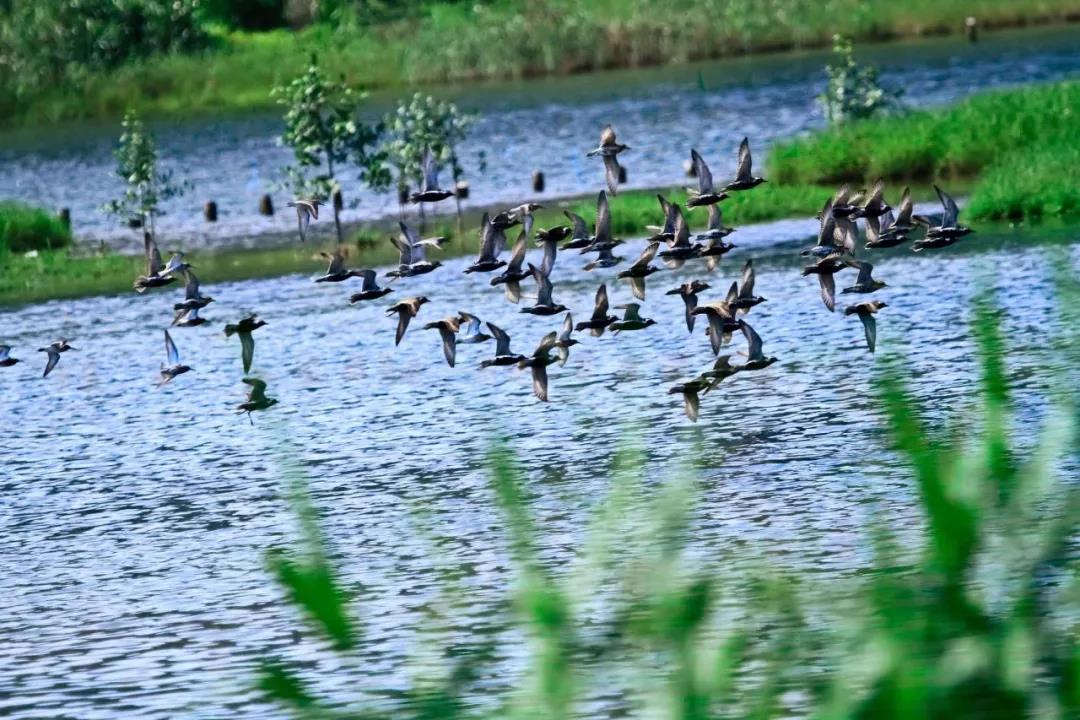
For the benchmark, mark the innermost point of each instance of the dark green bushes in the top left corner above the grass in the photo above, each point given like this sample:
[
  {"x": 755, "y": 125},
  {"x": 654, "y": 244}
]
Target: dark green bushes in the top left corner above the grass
[{"x": 46, "y": 43}]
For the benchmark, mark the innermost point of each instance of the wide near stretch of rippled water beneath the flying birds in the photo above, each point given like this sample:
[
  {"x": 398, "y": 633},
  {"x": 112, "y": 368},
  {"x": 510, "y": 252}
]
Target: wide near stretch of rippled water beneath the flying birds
[{"x": 136, "y": 520}]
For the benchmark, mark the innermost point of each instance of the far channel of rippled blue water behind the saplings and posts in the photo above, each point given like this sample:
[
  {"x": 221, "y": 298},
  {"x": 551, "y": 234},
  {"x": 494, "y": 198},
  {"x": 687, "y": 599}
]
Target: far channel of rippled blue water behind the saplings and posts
[{"x": 524, "y": 127}]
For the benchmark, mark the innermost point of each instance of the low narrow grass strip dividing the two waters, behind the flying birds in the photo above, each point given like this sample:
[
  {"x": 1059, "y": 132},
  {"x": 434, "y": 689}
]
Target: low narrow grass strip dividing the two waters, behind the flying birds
[{"x": 59, "y": 275}]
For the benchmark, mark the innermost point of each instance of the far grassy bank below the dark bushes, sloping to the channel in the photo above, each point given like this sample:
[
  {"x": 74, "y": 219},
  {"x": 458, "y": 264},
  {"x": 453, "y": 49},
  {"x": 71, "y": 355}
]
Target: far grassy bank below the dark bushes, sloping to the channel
[{"x": 462, "y": 43}]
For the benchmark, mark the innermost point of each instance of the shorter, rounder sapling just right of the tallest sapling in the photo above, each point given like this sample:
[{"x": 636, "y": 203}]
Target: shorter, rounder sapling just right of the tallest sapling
[{"x": 422, "y": 124}]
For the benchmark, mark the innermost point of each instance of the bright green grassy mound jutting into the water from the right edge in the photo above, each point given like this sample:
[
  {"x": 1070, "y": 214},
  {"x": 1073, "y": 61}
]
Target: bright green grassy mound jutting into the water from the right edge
[{"x": 1022, "y": 146}]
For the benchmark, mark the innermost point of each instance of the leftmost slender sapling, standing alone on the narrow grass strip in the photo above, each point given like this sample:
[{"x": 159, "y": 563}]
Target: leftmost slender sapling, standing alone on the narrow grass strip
[{"x": 145, "y": 186}]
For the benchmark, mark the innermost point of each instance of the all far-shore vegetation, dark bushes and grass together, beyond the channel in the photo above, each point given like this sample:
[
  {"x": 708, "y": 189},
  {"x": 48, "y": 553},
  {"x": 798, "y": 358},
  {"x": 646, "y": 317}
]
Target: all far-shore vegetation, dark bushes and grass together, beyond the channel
[{"x": 210, "y": 60}]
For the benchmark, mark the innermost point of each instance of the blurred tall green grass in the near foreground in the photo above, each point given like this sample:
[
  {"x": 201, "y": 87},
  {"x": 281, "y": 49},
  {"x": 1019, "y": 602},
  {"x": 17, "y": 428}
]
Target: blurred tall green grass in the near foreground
[{"x": 980, "y": 621}]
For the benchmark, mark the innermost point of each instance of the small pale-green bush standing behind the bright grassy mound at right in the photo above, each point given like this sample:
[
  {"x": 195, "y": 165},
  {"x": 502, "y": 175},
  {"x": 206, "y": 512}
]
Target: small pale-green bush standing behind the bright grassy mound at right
[{"x": 854, "y": 92}]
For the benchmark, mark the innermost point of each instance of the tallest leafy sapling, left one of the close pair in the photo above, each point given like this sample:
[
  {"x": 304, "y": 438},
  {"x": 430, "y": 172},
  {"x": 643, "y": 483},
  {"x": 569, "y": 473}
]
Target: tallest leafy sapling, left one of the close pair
[{"x": 323, "y": 129}]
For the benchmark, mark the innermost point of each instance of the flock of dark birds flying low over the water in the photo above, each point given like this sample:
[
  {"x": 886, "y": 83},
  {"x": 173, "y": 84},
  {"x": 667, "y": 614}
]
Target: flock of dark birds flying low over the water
[{"x": 833, "y": 253}]
